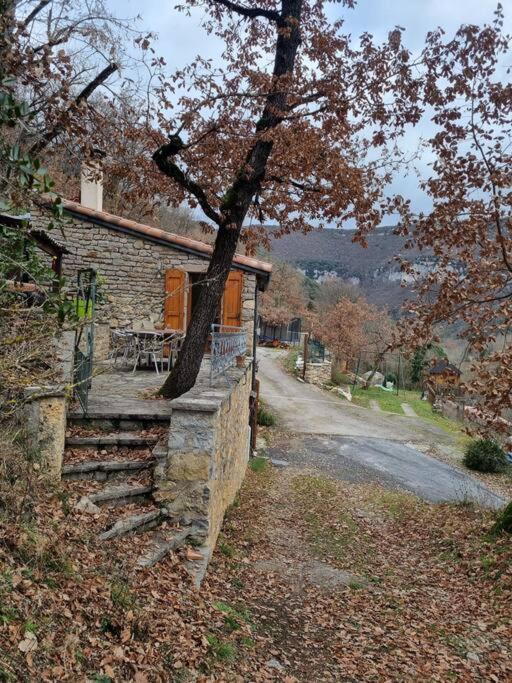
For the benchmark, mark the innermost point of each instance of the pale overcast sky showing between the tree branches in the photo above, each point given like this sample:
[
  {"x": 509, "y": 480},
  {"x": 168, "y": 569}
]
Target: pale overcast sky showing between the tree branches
[{"x": 180, "y": 38}]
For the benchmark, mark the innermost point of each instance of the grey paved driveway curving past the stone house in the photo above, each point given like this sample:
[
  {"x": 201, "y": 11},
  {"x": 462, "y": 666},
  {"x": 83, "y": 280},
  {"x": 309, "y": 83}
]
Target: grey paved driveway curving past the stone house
[{"x": 356, "y": 444}]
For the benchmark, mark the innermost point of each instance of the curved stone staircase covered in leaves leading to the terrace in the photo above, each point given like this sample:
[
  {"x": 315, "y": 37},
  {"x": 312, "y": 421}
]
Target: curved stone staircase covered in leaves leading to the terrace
[{"x": 109, "y": 462}]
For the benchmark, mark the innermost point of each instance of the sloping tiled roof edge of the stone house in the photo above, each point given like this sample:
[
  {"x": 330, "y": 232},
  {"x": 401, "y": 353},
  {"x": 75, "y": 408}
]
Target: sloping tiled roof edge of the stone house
[{"x": 117, "y": 223}]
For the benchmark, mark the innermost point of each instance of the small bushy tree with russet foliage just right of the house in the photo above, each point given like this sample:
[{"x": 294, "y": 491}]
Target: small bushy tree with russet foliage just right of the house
[{"x": 285, "y": 298}]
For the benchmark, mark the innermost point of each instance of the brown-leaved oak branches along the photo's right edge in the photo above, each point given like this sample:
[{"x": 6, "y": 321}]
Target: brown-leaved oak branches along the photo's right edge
[{"x": 469, "y": 229}]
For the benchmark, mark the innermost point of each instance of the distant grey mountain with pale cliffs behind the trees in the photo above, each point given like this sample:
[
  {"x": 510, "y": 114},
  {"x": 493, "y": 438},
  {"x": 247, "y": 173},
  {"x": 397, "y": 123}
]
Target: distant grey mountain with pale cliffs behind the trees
[{"x": 323, "y": 253}]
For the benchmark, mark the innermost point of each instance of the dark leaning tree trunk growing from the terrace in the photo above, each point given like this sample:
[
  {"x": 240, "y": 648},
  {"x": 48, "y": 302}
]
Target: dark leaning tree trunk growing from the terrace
[{"x": 234, "y": 207}]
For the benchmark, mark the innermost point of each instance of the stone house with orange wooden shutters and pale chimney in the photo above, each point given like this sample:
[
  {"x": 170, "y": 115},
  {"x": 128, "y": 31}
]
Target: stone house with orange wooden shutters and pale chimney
[{"x": 147, "y": 274}]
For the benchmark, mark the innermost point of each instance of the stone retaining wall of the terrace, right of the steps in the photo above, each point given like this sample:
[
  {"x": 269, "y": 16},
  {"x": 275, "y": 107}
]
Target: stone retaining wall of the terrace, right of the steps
[{"x": 207, "y": 455}]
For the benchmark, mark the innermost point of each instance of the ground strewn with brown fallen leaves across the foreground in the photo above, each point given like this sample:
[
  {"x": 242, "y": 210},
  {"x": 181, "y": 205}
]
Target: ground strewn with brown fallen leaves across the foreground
[{"x": 312, "y": 580}]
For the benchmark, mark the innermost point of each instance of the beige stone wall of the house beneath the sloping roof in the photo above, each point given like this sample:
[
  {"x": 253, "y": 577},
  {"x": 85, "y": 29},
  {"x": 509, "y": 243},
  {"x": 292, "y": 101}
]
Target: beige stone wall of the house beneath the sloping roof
[{"x": 131, "y": 273}]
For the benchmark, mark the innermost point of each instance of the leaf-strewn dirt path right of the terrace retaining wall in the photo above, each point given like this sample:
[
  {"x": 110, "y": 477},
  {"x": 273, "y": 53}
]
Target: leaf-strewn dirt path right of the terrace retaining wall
[{"x": 329, "y": 581}]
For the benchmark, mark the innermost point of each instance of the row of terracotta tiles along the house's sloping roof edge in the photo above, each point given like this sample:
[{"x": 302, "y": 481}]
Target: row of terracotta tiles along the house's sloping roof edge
[{"x": 157, "y": 233}]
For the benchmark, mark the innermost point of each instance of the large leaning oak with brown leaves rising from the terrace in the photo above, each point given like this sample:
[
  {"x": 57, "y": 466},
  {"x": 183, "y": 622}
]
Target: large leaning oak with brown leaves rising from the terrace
[{"x": 288, "y": 144}]
